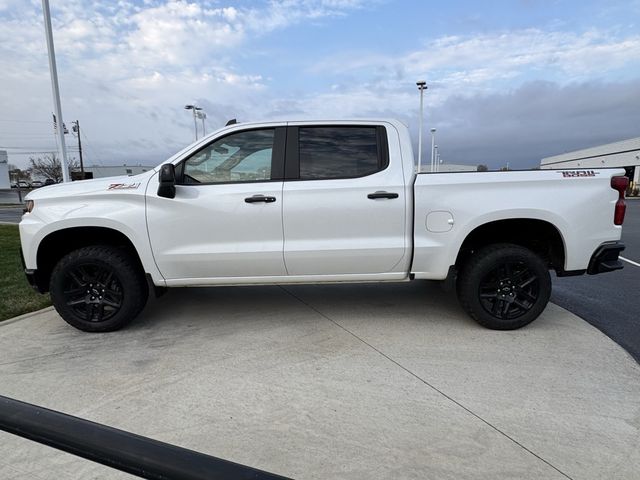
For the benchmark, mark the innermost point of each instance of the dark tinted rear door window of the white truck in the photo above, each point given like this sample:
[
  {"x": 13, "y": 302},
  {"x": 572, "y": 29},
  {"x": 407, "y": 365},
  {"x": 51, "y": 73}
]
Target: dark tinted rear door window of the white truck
[{"x": 338, "y": 152}]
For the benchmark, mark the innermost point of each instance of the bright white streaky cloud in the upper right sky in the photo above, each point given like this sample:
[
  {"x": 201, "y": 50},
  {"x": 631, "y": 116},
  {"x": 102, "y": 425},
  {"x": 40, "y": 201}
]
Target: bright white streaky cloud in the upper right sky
[{"x": 486, "y": 62}]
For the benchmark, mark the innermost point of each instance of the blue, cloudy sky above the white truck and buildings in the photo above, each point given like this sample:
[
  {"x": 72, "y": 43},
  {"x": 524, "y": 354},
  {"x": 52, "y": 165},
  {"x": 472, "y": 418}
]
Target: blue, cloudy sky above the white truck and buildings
[{"x": 508, "y": 81}]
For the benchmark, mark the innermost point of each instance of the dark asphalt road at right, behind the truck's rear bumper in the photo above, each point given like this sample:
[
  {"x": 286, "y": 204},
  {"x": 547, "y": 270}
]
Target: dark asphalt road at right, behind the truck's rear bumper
[{"x": 610, "y": 301}]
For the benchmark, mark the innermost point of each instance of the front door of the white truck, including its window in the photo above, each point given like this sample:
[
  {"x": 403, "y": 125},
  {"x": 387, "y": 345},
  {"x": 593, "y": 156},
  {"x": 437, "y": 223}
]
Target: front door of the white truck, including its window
[{"x": 226, "y": 217}]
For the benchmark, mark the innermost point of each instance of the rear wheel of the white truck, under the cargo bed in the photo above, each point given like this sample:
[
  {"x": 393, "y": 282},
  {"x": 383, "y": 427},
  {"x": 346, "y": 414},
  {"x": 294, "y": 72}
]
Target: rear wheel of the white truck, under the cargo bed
[{"x": 504, "y": 286}]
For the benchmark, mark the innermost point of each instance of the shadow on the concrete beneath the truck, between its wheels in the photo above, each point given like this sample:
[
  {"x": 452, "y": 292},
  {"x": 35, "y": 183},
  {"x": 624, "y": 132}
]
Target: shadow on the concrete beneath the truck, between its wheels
[{"x": 419, "y": 301}]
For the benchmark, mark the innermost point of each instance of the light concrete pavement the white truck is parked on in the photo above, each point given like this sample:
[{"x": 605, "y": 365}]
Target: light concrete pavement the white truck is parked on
[{"x": 316, "y": 382}]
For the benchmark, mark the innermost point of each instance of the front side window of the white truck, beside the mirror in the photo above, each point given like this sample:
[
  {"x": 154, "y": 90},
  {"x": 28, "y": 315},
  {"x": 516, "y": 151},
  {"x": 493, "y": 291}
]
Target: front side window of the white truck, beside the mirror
[{"x": 239, "y": 157}]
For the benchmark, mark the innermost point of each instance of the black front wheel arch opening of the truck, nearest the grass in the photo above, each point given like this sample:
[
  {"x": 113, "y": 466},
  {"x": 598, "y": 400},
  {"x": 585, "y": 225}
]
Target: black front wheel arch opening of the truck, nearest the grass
[{"x": 57, "y": 244}]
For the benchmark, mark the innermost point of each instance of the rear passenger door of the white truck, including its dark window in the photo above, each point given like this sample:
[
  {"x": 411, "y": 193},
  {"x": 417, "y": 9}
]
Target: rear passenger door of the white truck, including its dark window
[{"x": 344, "y": 203}]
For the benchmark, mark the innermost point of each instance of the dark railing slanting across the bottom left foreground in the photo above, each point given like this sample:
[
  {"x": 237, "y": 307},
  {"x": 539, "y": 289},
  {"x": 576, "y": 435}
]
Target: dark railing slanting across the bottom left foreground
[{"x": 117, "y": 449}]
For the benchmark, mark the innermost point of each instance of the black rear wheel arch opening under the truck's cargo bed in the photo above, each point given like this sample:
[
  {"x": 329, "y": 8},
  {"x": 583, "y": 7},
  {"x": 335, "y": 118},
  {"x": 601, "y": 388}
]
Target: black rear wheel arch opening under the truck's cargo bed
[{"x": 540, "y": 236}]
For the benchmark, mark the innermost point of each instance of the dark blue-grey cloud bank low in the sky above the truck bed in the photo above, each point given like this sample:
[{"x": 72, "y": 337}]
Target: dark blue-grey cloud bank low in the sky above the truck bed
[{"x": 538, "y": 119}]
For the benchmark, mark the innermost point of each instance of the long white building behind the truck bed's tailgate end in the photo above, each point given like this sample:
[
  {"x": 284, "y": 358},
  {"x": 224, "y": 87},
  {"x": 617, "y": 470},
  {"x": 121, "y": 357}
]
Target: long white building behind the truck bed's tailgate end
[{"x": 624, "y": 154}]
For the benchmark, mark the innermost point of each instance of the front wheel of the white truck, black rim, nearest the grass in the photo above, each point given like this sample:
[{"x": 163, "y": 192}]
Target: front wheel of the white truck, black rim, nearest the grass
[{"x": 98, "y": 288}]
